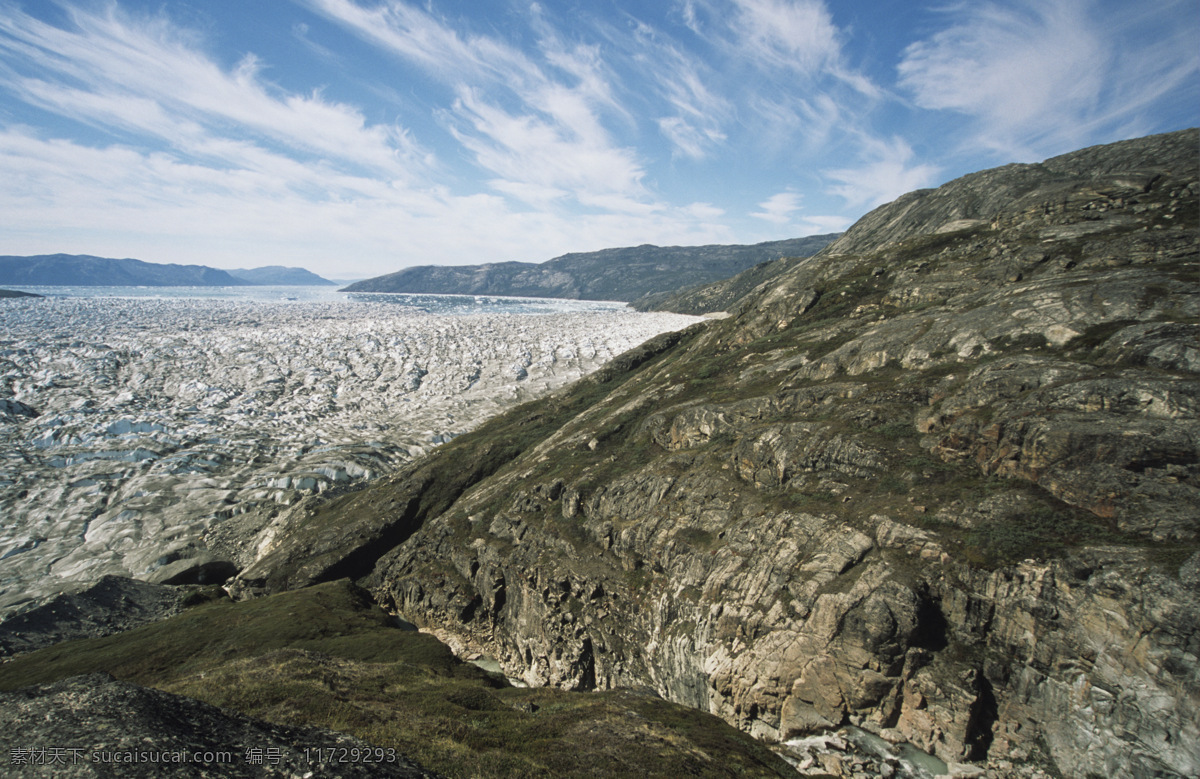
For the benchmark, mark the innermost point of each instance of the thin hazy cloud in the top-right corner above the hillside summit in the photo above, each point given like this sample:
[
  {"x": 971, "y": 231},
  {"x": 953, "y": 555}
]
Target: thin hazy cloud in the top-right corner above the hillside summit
[{"x": 1040, "y": 79}]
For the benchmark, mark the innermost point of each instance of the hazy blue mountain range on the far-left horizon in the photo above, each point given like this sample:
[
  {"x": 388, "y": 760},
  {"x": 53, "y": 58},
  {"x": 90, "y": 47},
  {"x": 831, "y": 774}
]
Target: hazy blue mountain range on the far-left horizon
[{"x": 85, "y": 271}]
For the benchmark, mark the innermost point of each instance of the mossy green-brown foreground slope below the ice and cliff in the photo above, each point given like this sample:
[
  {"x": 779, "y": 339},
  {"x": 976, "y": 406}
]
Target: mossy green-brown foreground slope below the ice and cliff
[{"x": 328, "y": 657}]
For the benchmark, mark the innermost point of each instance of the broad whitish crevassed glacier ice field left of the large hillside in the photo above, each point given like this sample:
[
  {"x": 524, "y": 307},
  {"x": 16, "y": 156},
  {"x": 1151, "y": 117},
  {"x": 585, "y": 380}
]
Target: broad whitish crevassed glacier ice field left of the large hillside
[{"x": 163, "y": 420}]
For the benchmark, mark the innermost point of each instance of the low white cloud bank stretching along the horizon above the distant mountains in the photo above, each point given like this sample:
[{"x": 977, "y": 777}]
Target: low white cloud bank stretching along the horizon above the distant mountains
[{"x": 62, "y": 196}]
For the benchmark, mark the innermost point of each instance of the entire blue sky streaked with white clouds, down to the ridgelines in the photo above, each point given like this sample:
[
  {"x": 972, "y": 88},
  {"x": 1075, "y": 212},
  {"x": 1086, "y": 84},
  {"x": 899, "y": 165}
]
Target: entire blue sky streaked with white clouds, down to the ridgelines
[{"x": 357, "y": 137}]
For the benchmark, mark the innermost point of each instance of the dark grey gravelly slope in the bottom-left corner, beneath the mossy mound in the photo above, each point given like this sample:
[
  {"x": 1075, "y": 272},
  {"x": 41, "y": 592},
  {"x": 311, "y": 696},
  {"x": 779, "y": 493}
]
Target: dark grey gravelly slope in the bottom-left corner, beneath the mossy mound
[{"x": 97, "y": 727}]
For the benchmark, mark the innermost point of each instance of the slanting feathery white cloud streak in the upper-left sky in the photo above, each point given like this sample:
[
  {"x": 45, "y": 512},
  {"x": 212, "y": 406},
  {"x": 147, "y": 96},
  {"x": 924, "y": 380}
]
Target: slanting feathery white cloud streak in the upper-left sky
[{"x": 143, "y": 75}]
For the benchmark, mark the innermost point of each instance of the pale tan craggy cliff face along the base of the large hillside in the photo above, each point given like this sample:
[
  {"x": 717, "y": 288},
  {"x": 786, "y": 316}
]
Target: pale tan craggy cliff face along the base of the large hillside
[{"x": 787, "y": 624}]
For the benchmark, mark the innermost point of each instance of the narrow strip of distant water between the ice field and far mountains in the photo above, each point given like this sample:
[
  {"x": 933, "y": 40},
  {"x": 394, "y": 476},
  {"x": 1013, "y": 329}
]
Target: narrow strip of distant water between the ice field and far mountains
[{"x": 452, "y": 305}]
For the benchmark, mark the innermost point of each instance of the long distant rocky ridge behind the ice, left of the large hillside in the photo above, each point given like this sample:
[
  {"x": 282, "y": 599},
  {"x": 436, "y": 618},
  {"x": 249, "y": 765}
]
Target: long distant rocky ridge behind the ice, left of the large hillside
[{"x": 614, "y": 274}]
